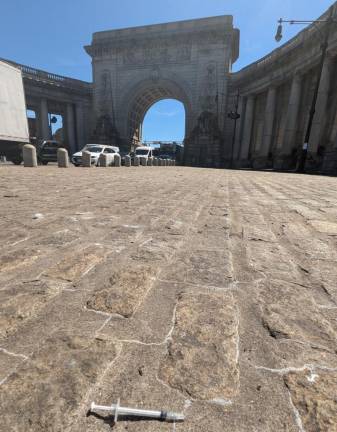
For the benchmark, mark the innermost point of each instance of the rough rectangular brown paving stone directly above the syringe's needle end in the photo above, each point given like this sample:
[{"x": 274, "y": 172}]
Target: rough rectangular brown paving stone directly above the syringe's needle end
[{"x": 202, "y": 356}]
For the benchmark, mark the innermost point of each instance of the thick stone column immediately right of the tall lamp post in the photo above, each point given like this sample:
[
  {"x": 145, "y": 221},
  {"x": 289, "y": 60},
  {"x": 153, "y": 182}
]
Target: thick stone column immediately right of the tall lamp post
[{"x": 320, "y": 113}]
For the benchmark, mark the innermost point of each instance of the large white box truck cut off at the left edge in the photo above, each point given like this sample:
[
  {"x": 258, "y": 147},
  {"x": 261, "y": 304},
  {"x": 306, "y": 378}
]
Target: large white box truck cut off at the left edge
[{"x": 14, "y": 132}]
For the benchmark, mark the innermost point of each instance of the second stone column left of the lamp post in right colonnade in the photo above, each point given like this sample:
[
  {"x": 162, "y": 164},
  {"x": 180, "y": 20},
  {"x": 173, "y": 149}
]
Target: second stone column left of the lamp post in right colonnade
[{"x": 262, "y": 160}]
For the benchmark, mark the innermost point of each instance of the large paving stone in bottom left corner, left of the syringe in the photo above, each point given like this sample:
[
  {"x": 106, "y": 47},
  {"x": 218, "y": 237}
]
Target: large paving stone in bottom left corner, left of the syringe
[{"x": 46, "y": 391}]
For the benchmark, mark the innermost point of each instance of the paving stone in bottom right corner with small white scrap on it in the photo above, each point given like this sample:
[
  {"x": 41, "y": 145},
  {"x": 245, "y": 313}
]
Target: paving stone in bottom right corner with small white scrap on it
[{"x": 313, "y": 394}]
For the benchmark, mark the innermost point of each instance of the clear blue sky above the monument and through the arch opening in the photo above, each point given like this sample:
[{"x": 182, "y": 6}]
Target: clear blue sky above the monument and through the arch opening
[{"x": 50, "y": 35}]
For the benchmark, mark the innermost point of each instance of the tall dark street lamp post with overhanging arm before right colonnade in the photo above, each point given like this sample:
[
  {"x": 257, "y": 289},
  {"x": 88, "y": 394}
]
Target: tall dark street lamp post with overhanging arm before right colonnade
[{"x": 324, "y": 47}]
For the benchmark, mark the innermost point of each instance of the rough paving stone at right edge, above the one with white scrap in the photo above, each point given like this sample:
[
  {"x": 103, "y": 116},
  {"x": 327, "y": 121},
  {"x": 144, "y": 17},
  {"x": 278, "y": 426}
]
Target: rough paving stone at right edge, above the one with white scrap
[{"x": 303, "y": 331}]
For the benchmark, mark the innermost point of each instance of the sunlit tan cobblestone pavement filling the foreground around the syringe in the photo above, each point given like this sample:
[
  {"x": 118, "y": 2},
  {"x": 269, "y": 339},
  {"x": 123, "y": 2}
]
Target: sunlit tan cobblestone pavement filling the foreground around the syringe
[{"x": 203, "y": 291}]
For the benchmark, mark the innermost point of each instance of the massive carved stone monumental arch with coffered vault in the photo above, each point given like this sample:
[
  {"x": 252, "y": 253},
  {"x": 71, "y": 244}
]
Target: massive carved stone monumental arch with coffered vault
[{"x": 189, "y": 61}]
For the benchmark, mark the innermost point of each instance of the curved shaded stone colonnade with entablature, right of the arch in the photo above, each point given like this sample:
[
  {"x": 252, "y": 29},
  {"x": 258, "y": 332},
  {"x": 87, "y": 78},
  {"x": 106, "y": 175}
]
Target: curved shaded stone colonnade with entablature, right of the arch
[{"x": 276, "y": 95}]
